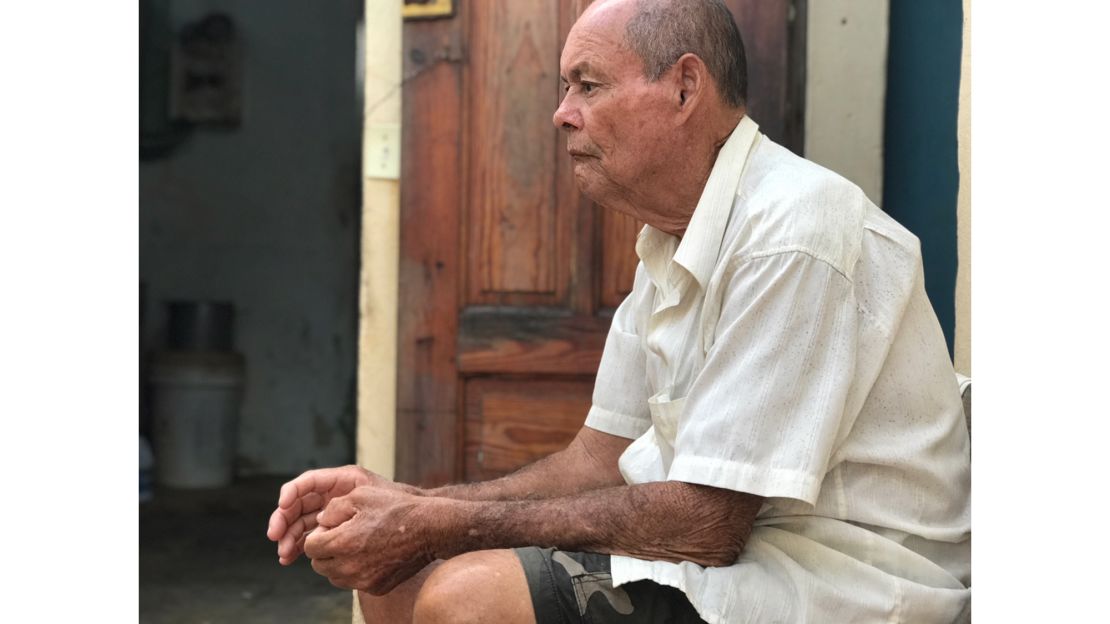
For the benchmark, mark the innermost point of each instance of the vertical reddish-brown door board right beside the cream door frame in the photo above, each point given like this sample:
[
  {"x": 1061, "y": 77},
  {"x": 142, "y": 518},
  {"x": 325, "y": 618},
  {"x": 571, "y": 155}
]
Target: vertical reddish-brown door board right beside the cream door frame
[{"x": 428, "y": 399}]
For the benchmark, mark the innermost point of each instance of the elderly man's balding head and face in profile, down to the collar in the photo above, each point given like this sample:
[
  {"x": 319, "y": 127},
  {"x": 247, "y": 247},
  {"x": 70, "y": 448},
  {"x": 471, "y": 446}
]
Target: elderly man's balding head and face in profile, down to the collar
[{"x": 653, "y": 89}]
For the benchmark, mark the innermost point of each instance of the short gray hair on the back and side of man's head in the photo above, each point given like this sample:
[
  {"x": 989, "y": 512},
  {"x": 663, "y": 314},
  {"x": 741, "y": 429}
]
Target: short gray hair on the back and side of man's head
[{"x": 661, "y": 32}]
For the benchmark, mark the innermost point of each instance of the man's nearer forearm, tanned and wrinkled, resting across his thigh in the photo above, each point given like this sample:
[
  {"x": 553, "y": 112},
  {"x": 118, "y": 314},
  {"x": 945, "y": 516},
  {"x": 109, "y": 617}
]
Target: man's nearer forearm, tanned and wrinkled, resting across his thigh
[{"x": 670, "y": 521}]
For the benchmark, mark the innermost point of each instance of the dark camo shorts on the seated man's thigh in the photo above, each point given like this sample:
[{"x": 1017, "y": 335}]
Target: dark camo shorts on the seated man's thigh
[{"x": 572, "y": 588}]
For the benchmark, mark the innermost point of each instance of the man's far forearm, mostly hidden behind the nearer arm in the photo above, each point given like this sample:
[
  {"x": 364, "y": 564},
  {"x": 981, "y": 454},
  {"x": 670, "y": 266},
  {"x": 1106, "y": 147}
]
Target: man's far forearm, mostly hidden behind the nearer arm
[{"x": 589, "y": 464}]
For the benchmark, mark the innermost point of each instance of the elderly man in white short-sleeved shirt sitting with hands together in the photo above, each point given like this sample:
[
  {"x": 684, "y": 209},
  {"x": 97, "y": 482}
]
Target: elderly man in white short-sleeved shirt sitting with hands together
[{"x": 776, "y": 434}]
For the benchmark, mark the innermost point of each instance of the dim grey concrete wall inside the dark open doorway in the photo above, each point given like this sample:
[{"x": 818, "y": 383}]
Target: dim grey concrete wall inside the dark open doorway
[{"x": 267, "y": 216}]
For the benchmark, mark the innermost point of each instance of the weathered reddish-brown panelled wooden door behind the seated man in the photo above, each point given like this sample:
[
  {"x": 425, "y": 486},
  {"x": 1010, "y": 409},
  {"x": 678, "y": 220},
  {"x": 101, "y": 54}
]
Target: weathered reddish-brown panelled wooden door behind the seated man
[{"x": 509, "y": 276}]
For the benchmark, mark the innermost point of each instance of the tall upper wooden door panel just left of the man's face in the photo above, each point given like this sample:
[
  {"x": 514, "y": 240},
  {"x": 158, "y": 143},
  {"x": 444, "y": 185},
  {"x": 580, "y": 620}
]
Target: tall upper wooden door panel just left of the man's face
[{"x": 517, "y": 229}]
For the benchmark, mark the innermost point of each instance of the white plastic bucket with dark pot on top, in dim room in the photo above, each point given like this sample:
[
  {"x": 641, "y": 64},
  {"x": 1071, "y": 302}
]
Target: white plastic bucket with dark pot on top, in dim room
[{"x": 196, "y": 401}]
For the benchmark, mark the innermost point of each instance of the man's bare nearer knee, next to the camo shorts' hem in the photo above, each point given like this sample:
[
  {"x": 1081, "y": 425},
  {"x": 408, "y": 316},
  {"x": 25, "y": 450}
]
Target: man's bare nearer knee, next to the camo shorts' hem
[{"x": 479, "y": 587}]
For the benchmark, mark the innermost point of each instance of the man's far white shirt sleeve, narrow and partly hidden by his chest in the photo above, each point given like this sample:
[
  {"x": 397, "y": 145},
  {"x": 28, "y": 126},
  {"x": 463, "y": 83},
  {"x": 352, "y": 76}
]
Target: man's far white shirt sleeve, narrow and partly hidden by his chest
[{"x": 620, "y": 401}]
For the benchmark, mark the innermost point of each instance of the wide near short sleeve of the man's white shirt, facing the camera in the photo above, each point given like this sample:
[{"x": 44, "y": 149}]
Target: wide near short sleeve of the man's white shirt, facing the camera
[{"x": 763, "y": 415}]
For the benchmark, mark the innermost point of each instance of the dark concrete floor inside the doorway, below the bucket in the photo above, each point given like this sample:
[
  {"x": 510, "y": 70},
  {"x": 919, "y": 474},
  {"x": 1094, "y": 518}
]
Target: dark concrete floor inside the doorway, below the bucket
[{"x": 205, "y": 559}]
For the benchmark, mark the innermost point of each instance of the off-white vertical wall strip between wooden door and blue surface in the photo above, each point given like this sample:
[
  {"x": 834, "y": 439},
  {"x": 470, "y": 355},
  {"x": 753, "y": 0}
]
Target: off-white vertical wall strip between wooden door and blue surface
[{"x": 846, "y": 65}]
